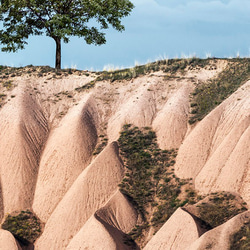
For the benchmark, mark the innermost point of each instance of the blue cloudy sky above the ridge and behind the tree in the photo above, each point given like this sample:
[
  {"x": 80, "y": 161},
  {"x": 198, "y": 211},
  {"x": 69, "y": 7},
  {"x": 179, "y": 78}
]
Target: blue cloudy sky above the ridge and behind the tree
[{"x": 155, "y": 29}]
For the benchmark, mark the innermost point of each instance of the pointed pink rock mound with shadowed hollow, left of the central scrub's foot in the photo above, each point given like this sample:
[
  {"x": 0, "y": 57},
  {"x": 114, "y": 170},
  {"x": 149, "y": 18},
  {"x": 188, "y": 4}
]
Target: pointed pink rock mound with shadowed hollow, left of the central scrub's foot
[{"x": 106, "y": 230}]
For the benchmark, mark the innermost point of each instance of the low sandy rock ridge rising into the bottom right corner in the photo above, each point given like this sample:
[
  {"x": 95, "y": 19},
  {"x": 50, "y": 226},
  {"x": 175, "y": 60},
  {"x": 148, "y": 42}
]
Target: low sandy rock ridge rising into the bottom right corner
[{"x": 219, "y": 237}]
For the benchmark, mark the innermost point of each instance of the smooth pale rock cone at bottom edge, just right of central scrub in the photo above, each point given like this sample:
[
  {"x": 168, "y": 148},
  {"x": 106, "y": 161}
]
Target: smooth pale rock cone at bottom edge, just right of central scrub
[{"x": 179, "y": 232}]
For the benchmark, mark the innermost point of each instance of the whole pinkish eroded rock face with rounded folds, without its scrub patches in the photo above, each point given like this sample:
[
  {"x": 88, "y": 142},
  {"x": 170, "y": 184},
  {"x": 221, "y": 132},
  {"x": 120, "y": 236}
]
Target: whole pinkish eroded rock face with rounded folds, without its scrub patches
[{"x": 52, "y": 126}]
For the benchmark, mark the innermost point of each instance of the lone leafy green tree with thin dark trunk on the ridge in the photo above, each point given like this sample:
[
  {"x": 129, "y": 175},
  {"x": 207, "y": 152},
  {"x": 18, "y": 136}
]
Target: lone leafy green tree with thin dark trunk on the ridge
[{"x": 60, "y": 20}]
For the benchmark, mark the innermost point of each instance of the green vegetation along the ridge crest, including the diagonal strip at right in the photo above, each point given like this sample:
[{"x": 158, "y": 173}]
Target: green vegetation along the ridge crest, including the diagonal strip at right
[{"x": 205, "y": 97}]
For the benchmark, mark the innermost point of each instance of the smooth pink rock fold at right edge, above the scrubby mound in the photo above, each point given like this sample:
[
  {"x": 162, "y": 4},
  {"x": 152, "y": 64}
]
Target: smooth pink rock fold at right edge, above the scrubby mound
[{"x": 232, "y": 169}]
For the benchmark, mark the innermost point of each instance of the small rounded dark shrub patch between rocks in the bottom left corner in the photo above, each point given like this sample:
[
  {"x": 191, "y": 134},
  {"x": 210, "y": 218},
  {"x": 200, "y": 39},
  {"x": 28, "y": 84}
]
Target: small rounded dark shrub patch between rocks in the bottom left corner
[{"x": 25, "y": 226}]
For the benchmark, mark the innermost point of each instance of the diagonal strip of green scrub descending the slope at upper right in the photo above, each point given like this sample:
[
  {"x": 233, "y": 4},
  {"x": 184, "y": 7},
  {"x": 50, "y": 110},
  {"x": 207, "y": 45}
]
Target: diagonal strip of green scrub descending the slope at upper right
[{"x": 210, "y": 94}]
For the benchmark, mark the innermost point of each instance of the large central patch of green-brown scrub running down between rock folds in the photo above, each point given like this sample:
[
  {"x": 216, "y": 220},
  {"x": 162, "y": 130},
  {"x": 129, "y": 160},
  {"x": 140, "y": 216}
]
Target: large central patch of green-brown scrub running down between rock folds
[{"x": 149, "y": 182}]
